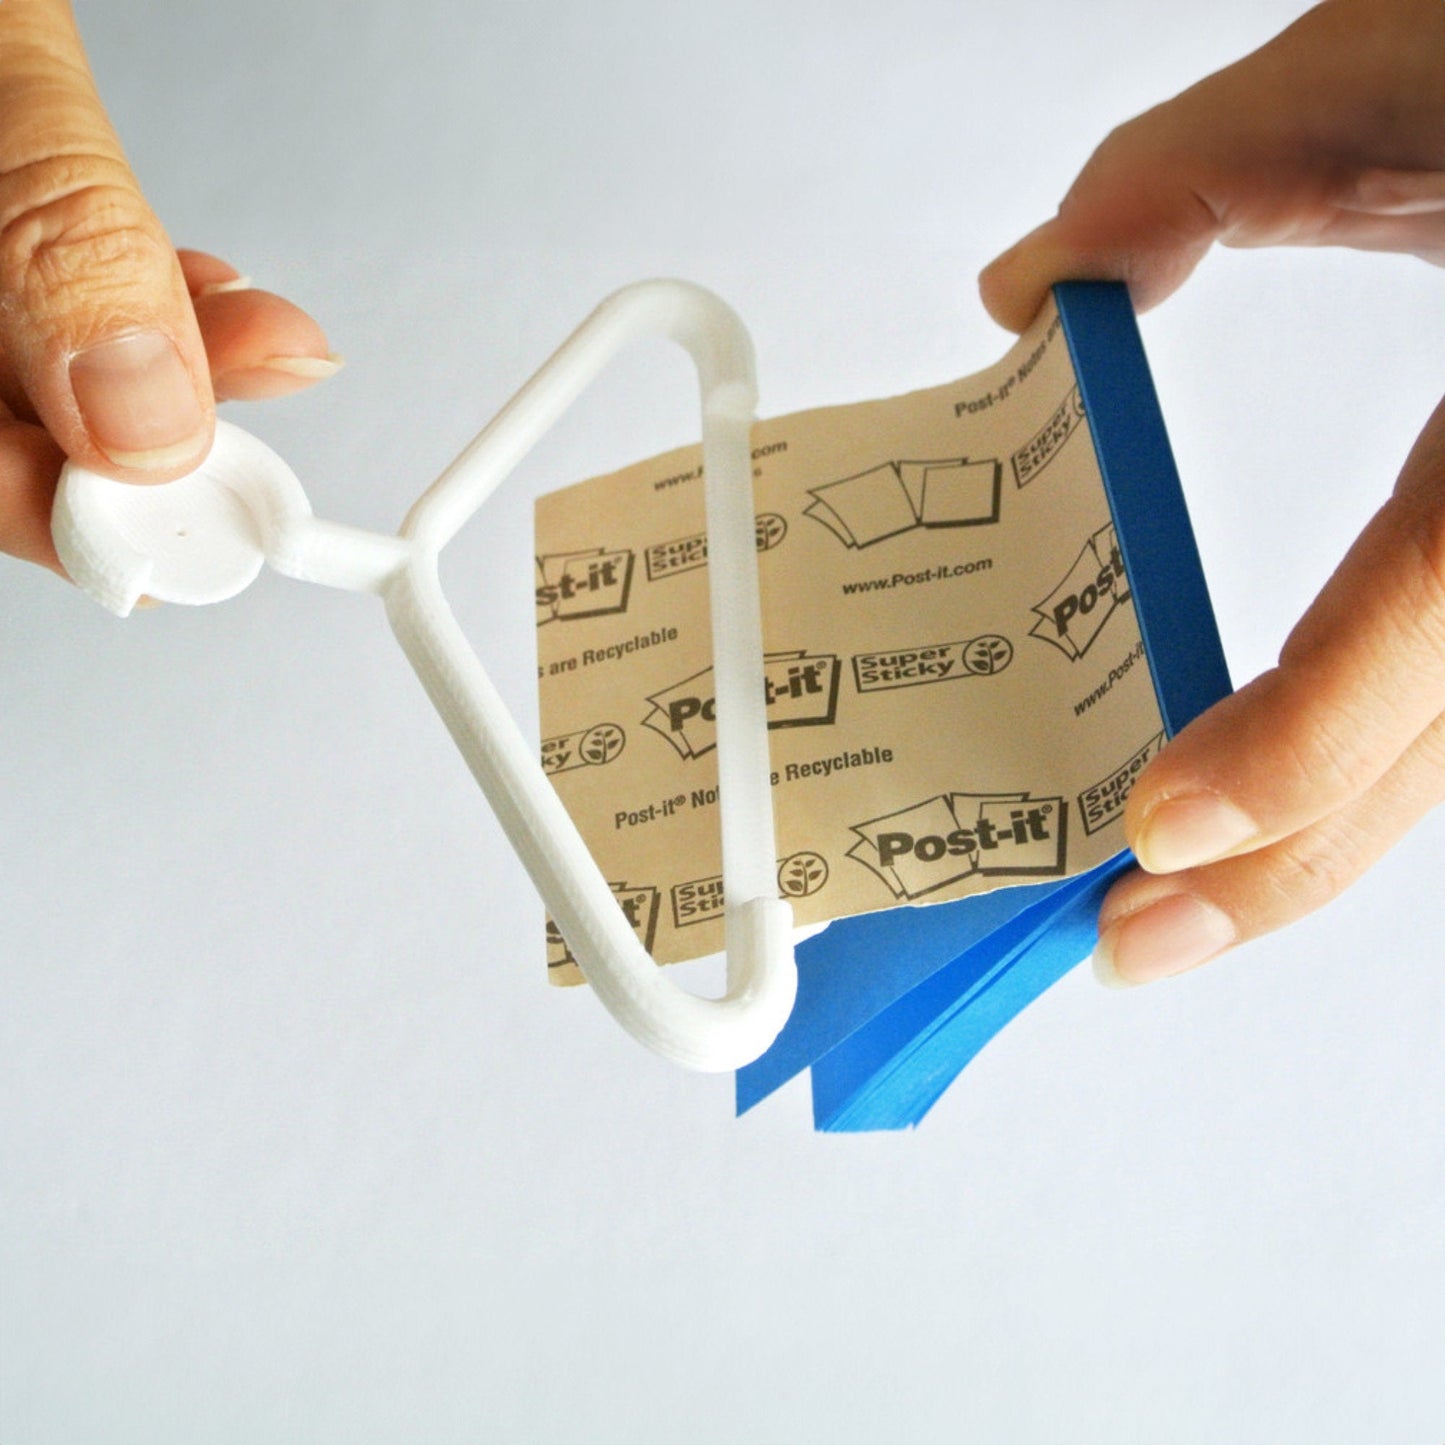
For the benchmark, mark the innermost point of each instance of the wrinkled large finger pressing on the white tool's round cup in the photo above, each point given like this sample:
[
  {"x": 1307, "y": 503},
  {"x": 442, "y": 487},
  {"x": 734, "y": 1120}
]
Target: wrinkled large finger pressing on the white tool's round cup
[{"x": 96, "y": 327}]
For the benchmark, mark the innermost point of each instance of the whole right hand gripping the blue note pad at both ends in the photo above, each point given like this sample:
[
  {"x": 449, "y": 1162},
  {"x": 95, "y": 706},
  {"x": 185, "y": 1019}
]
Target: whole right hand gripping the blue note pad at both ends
[{"x": 1278, "y": 798}]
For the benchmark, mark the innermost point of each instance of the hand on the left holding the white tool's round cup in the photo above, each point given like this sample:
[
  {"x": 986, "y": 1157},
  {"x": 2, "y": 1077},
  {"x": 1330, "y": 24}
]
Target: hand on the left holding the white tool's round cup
[{"x": 113, "y": 346}]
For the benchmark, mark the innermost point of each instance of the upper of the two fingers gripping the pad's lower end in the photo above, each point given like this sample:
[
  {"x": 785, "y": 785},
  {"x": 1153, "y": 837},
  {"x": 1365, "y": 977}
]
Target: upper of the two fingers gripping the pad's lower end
[{"x": 1360, "y": 678}]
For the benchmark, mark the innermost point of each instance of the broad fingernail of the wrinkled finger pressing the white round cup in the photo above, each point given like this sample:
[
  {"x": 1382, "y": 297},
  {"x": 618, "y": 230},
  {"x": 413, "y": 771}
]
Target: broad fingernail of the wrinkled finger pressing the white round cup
[{"x": 138, "y": 401}]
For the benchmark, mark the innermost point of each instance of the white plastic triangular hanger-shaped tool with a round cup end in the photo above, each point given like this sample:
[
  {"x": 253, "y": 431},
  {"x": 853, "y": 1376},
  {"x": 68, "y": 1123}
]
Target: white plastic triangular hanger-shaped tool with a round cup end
[{"x": 206, "y": 537}]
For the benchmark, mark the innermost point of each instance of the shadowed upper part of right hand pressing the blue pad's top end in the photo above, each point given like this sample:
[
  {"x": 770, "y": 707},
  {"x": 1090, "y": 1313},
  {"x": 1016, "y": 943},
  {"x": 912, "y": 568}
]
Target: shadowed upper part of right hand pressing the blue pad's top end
[{"x": 1307, "y": 142}]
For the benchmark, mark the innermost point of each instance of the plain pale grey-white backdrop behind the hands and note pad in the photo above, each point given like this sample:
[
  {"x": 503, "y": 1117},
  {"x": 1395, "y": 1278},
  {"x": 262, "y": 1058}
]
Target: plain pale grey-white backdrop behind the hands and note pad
[{"x": 298, "y": 1145}]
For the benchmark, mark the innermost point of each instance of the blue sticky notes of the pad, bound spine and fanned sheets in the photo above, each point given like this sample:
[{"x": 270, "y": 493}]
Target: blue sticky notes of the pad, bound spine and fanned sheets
[{"x": 894, "y": 1005}]
